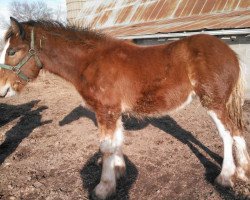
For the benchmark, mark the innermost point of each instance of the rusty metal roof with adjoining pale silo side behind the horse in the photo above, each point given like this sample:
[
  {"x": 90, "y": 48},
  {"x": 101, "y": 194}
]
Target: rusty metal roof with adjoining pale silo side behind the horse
[{"x": 140, "y": 17}]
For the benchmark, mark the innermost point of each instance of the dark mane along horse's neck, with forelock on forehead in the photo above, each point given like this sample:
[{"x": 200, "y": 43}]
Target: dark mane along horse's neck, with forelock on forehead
[{"x": 70, "y": 32}]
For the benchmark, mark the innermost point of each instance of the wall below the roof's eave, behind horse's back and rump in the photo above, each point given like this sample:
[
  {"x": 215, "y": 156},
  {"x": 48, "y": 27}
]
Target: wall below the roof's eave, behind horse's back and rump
[{"x": 240, "y": 44}]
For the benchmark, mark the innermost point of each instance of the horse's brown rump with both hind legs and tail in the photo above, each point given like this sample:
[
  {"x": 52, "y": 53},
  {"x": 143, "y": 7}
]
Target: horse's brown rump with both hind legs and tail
[{"x": 215, "y": 75}]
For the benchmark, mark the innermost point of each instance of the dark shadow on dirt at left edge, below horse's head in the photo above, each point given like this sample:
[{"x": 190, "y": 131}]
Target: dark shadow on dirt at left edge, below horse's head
[{"x": 30, "y": 119}]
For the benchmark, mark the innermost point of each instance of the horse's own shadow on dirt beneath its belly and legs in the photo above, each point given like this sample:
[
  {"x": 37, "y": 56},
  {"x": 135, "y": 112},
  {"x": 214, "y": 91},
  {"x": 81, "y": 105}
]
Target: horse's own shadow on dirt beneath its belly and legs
[{"x": 91, "y": 172}]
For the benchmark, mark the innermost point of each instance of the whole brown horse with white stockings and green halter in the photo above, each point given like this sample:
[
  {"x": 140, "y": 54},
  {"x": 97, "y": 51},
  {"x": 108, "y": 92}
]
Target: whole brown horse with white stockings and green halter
[{"x": 115, "y": 77}]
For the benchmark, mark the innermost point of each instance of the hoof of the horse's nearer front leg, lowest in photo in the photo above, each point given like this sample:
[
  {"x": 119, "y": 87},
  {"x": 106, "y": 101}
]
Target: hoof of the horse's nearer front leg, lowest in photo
[{"x": 103, "y": 191}]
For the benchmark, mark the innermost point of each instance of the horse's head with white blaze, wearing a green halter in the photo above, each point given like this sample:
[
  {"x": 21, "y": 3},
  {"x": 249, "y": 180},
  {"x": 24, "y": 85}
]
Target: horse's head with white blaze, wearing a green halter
[{"x": 16, "y": 67}]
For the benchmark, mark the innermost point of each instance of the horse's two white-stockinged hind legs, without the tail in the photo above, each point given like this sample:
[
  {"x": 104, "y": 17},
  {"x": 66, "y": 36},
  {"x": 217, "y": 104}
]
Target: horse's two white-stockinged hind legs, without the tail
[{"x": 231, "y": 134}]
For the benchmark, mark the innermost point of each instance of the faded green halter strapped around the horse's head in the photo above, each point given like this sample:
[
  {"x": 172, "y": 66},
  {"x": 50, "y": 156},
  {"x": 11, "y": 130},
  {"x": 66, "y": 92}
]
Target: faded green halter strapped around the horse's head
[{"x": 31, "y": 53}]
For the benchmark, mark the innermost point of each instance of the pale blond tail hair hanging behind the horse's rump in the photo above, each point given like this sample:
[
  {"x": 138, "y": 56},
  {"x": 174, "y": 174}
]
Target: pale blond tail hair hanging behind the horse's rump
[{"x": 236, "y": 100}]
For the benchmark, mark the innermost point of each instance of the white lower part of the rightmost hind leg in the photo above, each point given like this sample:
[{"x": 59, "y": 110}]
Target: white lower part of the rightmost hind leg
[{"x": 242, "y": 156}]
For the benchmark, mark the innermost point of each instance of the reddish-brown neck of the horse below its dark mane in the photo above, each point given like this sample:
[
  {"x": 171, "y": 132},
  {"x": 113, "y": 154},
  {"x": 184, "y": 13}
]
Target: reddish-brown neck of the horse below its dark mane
[{"x": 67, "y": 58}]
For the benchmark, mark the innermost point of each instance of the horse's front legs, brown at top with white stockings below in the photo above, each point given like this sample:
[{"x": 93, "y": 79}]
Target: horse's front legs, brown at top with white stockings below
[{"x": 113, "y": 165}]
